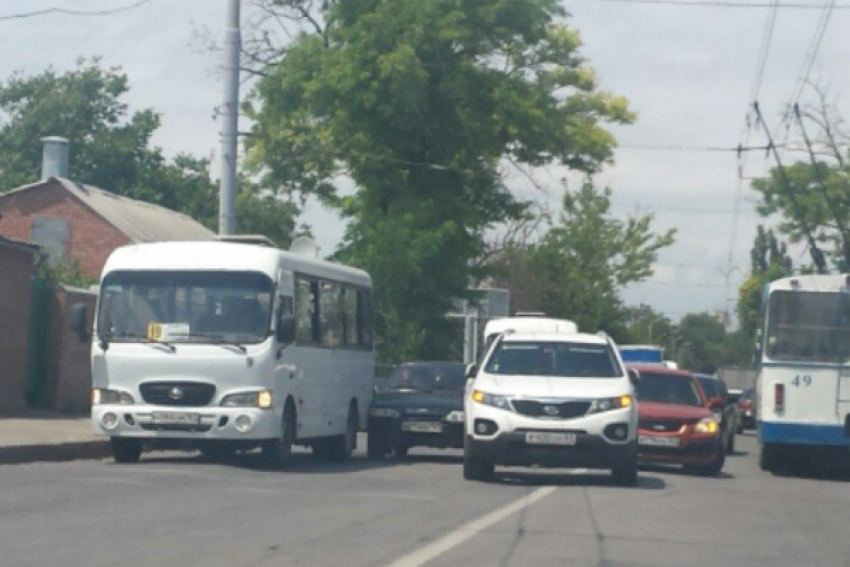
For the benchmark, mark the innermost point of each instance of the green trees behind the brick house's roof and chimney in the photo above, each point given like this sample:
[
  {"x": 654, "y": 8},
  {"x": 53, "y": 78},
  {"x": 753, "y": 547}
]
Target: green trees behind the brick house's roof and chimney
[{"x": 110, "y": 148}]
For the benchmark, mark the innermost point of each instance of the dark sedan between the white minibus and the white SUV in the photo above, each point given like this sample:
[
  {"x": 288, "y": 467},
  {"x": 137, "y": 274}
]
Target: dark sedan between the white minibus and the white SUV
[{"x": 420, "y": 405}]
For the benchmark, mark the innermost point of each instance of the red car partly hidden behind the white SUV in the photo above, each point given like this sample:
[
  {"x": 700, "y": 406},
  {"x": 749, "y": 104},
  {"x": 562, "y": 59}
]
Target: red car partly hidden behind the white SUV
[{"x": 676, "y": 422}]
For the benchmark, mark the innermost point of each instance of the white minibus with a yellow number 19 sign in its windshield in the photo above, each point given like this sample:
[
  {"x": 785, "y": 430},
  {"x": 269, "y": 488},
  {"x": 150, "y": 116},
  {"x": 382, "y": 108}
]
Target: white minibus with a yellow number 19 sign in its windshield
[{"x": 230, "y": 346}]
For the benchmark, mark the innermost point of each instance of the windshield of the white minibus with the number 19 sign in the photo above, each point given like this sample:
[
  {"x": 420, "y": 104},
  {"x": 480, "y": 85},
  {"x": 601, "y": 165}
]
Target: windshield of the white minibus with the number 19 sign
[{"x": 185, "y": 306}]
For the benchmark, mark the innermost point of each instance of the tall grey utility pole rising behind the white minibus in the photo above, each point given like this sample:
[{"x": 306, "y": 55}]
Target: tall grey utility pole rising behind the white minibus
[{"x": 230, "y": 119}]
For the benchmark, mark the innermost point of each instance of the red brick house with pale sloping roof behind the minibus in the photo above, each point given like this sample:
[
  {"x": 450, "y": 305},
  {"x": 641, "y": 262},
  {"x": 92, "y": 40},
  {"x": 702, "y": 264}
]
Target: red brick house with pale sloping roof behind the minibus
[{"x": 84, "y": 224}]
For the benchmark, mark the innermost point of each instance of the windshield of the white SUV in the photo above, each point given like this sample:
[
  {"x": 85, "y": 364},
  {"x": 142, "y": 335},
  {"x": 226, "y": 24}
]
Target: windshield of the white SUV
[{"x": 563, "y": 359}]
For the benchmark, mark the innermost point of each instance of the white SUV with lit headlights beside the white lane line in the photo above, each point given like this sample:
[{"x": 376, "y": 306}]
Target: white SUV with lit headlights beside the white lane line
[{"x": 552, "y": 400}]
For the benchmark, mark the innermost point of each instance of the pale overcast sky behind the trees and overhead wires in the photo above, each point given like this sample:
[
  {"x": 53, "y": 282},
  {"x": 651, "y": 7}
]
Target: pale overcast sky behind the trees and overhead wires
[{"x": 688, "y": 72}]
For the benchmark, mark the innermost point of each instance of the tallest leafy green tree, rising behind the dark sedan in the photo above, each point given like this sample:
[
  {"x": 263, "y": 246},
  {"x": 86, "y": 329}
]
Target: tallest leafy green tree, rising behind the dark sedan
[{"x": 419, "y": 103}]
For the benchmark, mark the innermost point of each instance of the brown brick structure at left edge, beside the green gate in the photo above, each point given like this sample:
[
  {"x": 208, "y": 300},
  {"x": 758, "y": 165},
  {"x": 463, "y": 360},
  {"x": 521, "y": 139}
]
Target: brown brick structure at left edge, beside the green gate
[{"x": 18, "y": 263}]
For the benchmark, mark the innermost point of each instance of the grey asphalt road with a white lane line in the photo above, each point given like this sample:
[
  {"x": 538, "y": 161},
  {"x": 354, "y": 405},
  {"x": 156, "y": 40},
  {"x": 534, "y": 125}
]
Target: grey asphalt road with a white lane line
[{"x": 176, "y": 509}]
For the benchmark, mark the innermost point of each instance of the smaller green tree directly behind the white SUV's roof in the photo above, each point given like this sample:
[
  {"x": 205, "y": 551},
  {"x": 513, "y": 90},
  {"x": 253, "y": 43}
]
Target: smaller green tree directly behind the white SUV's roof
[{"x": 577, "y": 269}]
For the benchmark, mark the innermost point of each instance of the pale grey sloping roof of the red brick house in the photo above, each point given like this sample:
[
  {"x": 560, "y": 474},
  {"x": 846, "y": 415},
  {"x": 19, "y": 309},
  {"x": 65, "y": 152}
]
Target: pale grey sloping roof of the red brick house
[{"x": 138, "y": 220}]
